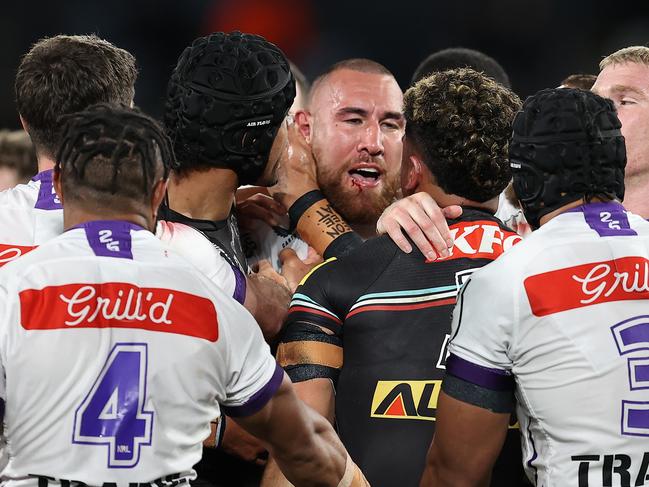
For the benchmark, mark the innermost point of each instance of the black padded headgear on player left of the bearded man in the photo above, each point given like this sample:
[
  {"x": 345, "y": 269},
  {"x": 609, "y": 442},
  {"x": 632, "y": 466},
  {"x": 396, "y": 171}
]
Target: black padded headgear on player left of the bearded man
[{"x": 226, "y": 99}]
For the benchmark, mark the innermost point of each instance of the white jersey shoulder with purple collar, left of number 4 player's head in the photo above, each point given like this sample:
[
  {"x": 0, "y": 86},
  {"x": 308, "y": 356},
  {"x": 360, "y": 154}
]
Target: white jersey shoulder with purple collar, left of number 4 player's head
[{"x": 30, "y": 214}]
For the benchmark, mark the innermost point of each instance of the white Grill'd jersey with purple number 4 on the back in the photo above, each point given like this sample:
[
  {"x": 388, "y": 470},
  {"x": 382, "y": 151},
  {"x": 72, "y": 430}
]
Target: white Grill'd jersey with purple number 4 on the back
[{"x": 116, "y": 354}]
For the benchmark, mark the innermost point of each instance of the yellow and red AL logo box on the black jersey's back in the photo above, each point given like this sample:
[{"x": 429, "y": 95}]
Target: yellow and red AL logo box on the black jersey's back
[{"x": 406, "y": 399}]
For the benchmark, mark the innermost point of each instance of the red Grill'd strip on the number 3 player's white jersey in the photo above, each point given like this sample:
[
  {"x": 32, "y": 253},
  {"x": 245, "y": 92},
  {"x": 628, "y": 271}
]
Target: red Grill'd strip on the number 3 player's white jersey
[{"x": 621, "y": 279}]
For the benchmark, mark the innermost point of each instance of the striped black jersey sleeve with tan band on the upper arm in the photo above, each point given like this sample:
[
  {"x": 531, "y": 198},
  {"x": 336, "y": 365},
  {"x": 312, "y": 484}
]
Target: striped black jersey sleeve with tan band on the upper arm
[{"x": 311, "y": 345}]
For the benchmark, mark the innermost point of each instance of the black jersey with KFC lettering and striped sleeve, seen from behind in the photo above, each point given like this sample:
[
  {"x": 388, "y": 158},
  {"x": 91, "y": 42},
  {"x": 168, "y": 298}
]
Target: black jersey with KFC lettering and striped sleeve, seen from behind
[{"x": 391, "y": 314}]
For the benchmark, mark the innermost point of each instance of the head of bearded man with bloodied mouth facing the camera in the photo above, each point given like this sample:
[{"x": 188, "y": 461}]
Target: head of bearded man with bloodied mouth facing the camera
[{"x": 359, "y": 172}]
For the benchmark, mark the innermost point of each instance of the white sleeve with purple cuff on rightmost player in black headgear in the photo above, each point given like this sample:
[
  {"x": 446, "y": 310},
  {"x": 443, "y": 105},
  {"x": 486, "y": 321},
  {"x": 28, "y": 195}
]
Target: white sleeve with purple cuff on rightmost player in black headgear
[{"x": 478, "y": 369}]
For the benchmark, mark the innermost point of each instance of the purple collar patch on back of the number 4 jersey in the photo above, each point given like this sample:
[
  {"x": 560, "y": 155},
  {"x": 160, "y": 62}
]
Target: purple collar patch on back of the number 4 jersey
[{"x": 110, "y": 238}]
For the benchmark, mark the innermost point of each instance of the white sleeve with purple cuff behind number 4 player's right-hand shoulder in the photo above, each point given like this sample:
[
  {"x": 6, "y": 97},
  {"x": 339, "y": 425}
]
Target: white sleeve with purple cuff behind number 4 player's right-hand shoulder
[{"x": 197, "y": 249}]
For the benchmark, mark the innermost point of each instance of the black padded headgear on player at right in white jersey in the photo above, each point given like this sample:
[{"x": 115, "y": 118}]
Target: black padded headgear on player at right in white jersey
[{"x": 566, "y": 145}]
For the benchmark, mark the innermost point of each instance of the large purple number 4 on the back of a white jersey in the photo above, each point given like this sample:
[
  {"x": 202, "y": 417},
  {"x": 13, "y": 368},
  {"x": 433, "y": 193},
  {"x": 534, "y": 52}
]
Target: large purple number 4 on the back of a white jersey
[{"x": 112, "y": 414}]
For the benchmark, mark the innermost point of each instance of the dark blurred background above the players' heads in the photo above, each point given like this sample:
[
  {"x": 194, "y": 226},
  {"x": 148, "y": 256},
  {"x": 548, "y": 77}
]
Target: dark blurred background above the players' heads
[{"x": 539, "y": 42}]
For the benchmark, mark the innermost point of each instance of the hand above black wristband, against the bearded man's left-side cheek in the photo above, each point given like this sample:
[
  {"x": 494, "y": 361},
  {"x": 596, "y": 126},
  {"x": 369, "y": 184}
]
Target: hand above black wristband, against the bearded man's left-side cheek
[{"x": 296, "y": 174}]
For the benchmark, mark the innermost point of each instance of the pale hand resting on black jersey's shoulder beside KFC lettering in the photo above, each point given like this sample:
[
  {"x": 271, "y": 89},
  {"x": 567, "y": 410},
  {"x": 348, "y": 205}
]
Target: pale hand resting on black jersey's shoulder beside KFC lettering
[{"x": 423, "y": 220}]
